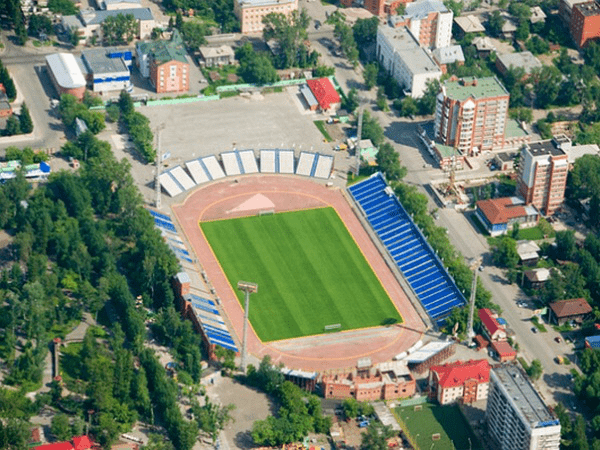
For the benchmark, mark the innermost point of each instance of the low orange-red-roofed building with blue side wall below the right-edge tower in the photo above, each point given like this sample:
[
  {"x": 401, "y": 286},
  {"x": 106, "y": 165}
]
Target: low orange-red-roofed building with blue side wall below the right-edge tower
[{"x": 498, "y": 215}]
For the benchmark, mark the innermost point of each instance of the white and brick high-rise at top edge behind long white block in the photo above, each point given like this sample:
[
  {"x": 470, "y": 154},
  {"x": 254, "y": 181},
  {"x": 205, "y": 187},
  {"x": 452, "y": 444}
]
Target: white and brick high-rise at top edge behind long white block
[{"x": 429, "y": 21}]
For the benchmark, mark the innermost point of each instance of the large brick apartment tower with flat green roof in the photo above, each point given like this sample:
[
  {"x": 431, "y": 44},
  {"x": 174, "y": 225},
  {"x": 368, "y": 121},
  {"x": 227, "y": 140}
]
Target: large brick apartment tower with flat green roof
[{"x": 471, "y": 114}]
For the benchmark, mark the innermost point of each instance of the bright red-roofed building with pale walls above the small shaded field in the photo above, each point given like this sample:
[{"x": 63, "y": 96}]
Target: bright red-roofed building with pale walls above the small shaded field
[{"x": 462, "y": 381}]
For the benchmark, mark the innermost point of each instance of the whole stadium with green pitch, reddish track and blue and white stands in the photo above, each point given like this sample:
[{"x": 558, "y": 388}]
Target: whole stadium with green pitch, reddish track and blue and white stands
[{"x": 343, "y": 273}]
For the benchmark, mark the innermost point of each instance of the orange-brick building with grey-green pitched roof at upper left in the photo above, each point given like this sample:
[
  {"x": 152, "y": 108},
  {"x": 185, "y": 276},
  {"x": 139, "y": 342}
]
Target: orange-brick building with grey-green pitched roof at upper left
[{"x": 165, "y": 63}]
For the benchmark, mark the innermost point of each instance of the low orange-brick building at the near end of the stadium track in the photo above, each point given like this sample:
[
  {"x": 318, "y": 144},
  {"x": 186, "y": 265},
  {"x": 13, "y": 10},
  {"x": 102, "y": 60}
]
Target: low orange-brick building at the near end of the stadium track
[{"x": 386, "y": 381}]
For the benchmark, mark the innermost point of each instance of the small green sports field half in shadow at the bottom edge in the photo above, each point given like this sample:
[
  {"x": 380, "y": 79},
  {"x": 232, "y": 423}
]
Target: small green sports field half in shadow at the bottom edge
[{"x": 448, "y": 421}]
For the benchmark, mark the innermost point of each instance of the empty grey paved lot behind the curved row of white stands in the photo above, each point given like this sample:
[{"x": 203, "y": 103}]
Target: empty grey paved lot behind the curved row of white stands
[{"x": 206, "y": 128}]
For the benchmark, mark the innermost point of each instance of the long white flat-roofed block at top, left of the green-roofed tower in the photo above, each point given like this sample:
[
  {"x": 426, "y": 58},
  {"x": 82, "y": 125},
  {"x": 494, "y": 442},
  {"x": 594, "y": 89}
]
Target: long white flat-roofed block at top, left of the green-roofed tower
[{"x": 409, "y": 64}]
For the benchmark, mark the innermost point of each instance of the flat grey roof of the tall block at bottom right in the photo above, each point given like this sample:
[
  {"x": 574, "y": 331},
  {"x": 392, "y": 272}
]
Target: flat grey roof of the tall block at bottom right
[{"x": 524, "y": 397}]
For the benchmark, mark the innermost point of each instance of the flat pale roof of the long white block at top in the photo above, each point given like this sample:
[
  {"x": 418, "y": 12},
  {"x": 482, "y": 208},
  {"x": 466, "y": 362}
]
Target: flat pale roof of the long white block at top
[{"x": 409, "y": 50}]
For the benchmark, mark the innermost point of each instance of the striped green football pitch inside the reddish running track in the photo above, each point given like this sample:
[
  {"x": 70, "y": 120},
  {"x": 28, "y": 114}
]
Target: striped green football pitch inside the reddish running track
[{"x": 309, "y": 272}]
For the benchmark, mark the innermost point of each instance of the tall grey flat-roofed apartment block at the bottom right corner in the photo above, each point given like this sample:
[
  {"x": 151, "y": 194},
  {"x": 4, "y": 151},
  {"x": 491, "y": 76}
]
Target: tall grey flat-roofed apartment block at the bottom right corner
[{"x": 516, "y": 416}]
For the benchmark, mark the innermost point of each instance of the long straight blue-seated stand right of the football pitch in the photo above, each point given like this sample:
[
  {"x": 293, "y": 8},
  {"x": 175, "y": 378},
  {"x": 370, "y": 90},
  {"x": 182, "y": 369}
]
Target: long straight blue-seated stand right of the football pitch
[{"x": 407, "y": 246}]
